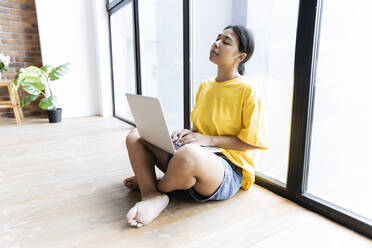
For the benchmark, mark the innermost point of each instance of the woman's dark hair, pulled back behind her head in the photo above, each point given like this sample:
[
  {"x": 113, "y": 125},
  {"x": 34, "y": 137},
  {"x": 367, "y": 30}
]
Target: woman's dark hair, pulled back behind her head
[{"x": 246, "y": 43}]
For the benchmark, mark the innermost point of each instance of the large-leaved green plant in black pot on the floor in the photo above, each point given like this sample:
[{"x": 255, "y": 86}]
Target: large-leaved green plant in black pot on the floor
[{"x": 36, "y": 82}]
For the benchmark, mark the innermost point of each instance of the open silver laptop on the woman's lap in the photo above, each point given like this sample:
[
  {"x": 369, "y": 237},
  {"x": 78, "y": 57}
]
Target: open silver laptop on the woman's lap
[{"x": 151, "y": 124}]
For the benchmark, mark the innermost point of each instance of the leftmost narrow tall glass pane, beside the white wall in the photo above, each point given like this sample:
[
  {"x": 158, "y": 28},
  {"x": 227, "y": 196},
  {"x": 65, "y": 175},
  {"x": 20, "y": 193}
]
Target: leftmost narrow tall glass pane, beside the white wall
[{"x": 123, "y": 58}]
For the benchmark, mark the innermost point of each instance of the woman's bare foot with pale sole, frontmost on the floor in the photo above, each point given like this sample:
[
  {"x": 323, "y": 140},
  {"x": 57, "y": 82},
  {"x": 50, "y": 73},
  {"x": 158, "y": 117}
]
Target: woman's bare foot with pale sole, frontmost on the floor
[{"x": 149, "y": 208}]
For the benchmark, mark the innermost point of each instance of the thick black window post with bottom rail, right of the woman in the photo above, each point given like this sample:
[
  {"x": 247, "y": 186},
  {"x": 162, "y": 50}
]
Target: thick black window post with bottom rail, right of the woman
[{"x": 307, "y": 40}]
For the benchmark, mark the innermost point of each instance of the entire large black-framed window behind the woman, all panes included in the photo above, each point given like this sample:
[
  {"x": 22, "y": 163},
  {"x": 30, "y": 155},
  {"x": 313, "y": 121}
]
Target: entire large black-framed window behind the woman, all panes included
[{"x": 319, "y": 139}]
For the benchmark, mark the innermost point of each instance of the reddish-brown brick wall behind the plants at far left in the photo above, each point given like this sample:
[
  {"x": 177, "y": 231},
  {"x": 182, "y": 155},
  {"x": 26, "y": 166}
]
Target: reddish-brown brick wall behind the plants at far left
[{"x": 19, "y": 39}]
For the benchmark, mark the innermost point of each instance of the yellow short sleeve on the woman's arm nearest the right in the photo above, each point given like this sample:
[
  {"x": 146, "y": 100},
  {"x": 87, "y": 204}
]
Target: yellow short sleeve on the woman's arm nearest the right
[{"x": 254, "y": 130}]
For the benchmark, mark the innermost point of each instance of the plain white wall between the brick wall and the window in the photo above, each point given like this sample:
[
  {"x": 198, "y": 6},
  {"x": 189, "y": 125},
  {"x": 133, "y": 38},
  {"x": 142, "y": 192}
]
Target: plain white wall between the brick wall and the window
[{"x": 68, "y": 32}]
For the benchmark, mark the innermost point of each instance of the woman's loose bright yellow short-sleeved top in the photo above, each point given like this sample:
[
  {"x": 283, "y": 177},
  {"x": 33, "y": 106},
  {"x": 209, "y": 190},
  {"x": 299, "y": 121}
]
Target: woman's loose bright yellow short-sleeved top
[{"x": 232, "y": 107}]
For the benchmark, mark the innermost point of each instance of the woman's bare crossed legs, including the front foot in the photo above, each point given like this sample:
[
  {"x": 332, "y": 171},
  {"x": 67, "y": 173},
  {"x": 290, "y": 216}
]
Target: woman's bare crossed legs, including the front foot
[{"x": 191, "y": 166}]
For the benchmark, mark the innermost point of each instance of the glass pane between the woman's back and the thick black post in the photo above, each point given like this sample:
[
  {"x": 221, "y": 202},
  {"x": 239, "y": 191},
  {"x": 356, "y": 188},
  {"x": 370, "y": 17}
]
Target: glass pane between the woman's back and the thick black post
[{"x": 274, "y": 25}]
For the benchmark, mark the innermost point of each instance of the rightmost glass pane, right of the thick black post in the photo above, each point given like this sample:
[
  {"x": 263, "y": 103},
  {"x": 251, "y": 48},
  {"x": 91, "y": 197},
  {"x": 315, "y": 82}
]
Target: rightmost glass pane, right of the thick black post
[{"x": 340, "y": 170}]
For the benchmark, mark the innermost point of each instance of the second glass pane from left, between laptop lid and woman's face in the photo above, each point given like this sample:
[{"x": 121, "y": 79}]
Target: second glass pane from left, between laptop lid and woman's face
[{"x": 161, "y": 27}]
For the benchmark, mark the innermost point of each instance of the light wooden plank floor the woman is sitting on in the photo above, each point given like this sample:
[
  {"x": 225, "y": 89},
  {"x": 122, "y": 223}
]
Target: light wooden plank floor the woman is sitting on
[{"x": 61, "y": 186}]
